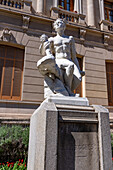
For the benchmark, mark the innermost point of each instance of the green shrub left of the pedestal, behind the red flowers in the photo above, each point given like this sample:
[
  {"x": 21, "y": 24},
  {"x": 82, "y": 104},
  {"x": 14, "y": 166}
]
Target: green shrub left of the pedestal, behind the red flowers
[{"x": 13, "y": 143}]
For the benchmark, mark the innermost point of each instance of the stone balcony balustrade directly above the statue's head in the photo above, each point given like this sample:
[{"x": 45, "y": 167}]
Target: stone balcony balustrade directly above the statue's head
[{"x": 70, "y": 16}]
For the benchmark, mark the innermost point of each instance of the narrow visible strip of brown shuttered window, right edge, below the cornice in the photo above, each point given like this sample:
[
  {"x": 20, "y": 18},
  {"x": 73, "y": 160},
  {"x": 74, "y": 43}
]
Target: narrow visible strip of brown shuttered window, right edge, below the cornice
[{"x": 109, "y": 72}]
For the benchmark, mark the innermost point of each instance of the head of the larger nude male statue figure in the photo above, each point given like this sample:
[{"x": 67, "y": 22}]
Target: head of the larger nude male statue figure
[{"x": 59, "y": 24}]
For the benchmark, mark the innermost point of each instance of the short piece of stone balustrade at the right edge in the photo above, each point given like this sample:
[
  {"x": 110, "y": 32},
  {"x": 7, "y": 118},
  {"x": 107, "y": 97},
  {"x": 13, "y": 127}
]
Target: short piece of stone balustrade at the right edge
[{"x": 106, "y": 25}]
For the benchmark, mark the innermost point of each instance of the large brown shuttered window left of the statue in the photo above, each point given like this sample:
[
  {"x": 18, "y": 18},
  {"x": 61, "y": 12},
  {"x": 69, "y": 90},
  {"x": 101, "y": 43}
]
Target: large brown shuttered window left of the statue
[{"x": 11, "y": 68}]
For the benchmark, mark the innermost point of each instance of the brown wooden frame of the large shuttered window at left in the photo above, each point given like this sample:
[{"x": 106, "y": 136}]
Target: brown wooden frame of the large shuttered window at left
[{"x": 14, "y": 60}]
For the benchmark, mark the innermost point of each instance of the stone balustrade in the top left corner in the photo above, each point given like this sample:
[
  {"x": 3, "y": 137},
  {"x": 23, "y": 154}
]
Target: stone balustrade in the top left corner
[{"x": 20, "y": 4}]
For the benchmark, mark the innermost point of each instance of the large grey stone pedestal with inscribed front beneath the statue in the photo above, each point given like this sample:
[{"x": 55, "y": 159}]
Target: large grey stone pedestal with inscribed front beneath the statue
[{"x": 69, "y": 136}]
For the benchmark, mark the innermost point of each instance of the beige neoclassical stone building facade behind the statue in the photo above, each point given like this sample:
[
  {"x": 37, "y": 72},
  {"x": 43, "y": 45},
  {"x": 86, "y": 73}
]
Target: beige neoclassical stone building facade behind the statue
[{"x": 22, "y": 23}]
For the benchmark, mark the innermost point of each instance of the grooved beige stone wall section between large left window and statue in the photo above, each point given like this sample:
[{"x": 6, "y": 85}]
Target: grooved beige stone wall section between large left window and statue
[{"x": 33, "y": 81}]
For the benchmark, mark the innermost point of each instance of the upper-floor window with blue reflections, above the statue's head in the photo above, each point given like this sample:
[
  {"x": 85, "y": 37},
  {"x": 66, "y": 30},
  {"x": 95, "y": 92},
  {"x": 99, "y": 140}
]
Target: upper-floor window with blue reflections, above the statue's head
[{"x": 67, "y": 4}]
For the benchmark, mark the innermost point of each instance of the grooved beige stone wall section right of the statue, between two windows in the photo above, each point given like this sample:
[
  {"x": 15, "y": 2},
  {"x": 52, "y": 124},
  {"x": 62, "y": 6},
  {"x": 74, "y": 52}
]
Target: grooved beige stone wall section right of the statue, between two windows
[{"x": 96, "y": 87}]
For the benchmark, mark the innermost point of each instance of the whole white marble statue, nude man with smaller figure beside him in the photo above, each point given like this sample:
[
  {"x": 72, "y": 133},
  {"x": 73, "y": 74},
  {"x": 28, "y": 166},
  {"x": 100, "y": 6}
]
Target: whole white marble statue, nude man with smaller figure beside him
[{"x": 59, "y": 66}]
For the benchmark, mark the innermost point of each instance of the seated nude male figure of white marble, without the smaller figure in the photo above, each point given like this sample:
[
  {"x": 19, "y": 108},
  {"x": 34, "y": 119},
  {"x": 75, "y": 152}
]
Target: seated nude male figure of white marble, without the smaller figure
[{"x": 65, "y": 55}]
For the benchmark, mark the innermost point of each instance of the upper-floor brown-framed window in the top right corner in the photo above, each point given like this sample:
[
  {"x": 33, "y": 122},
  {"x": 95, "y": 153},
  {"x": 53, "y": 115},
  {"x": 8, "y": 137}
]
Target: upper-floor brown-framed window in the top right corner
[{"x": 108, "y": 10}]
